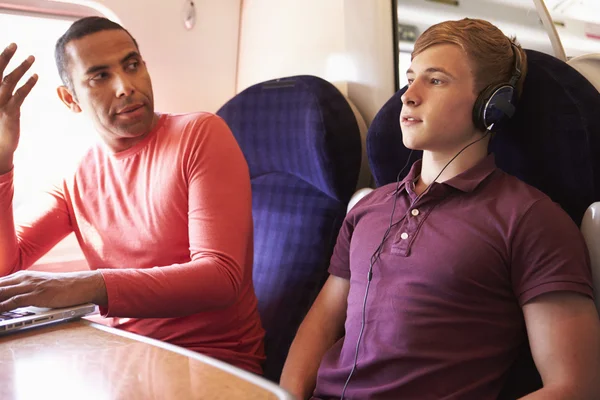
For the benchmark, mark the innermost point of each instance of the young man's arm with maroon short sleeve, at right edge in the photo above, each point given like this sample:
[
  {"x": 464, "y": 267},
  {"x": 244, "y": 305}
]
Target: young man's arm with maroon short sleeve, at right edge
[{"x": 552, "y": 279}]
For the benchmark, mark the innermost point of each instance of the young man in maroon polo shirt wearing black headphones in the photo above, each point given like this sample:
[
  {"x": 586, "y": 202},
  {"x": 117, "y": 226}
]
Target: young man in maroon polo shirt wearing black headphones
[{"x": 439, "y": 279}]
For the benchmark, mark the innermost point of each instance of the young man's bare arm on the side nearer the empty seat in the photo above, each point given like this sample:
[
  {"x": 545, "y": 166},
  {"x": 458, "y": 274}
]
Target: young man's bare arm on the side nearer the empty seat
[{"x": 321, "y": 328}]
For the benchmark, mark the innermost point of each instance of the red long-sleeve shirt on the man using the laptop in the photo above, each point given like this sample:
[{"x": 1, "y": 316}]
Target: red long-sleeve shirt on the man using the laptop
[{"x": 168, "y": 222}]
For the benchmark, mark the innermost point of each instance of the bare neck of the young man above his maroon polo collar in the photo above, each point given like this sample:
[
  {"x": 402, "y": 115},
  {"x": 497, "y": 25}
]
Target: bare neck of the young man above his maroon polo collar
[{"x": 434, "y": 162}]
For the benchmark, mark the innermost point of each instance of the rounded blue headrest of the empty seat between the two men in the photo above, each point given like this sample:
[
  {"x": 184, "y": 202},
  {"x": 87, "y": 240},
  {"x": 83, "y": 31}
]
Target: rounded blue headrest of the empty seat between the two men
[{"x": 302, "y": 126}]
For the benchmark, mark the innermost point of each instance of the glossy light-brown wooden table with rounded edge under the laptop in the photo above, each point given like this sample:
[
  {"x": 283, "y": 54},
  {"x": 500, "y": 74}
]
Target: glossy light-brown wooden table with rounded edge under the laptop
[{"x": 85, "y": 360}]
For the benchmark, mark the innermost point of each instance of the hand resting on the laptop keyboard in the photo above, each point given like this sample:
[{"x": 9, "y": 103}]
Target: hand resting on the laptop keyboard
[{"x": 53, "y": 290}]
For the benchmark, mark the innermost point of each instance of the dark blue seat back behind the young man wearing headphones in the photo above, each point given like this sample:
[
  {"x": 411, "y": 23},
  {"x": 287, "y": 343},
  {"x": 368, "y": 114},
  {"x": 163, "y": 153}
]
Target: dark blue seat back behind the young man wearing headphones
[{"x": 552, "y": 143}]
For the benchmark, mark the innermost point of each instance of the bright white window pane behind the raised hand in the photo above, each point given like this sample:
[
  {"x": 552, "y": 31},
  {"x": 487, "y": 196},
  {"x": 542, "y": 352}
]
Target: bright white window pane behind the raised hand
[{"x": 52, "y": 137}]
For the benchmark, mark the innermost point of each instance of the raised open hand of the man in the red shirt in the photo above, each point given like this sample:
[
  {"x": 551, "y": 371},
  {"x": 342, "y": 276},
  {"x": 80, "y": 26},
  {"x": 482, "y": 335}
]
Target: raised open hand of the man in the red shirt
[{"x": 10, "y": 105}]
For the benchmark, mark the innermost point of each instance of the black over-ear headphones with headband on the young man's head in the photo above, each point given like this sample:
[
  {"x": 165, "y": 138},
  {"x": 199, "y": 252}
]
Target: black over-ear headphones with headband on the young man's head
[{"x": 497, "y": 103}]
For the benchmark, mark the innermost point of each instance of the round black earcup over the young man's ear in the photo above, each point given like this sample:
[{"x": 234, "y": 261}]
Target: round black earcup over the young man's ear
[{"x": 493, "y": 106}]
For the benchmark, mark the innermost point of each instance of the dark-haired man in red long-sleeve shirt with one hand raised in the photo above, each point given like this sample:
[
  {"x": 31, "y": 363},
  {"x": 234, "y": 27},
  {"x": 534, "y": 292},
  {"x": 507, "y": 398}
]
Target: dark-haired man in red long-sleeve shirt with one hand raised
[{"x": 161, "y": 207}]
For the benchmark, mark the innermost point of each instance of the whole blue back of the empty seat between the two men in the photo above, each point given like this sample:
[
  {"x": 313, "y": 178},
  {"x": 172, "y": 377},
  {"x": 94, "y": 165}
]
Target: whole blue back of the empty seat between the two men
[{"x": 302, "y": 144}]
